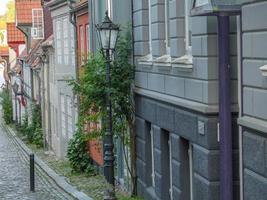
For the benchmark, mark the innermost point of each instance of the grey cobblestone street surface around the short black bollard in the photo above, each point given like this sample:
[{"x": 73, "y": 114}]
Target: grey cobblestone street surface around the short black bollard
[{"x": 14, "y": 175}]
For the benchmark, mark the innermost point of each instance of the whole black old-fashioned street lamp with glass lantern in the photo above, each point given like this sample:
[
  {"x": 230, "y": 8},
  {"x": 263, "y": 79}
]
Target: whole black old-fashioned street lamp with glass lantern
[{"x": 107, "y": 35}]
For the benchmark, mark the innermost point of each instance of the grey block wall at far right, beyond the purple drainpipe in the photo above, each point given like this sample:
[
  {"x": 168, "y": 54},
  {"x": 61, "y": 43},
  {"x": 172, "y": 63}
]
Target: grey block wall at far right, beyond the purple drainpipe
[{"x": 254, "y": 117}]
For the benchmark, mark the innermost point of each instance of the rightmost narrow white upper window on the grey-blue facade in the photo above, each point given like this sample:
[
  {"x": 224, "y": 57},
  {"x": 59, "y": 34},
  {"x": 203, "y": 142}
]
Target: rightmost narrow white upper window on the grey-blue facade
[{"x": 188, "y": 27}]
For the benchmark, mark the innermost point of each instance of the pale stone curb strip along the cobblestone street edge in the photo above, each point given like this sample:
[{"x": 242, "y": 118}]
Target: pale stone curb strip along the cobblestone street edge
[{"x": 59, "y": 180}]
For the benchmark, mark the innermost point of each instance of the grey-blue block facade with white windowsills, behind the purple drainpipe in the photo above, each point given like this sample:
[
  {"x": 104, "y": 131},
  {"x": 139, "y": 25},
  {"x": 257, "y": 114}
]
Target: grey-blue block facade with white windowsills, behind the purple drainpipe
[{"x": 177, "y": 103}]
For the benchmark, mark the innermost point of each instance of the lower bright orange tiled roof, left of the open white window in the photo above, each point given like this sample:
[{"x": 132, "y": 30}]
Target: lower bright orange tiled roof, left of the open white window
[{"x": 14, "y": 35}]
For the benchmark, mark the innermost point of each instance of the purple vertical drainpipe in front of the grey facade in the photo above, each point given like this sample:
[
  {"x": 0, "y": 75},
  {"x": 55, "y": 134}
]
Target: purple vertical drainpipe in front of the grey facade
[{"x": 226, "y": 171}]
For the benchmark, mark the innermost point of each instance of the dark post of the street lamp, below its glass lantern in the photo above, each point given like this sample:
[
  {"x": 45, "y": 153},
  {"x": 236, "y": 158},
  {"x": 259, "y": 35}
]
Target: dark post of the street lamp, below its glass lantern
[{"x": 108, "y": 140}]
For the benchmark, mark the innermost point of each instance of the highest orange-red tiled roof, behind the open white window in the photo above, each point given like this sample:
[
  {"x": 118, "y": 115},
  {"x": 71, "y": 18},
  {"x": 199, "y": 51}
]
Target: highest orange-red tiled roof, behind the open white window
[{"x": 24, "y": 10}]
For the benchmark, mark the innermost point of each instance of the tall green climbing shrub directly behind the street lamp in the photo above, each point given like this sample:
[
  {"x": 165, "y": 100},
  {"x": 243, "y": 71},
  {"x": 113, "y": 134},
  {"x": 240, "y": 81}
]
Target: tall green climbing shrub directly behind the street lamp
[{"x": 92, "y": 89}]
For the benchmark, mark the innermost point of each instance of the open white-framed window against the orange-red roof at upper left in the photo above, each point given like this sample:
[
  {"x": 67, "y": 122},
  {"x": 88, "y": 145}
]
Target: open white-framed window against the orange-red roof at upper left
[{"x": 37, "y": 30}]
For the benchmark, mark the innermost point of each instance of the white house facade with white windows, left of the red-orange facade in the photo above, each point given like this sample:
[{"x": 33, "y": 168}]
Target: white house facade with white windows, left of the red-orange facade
[{"x": 62, "y": 100}]
